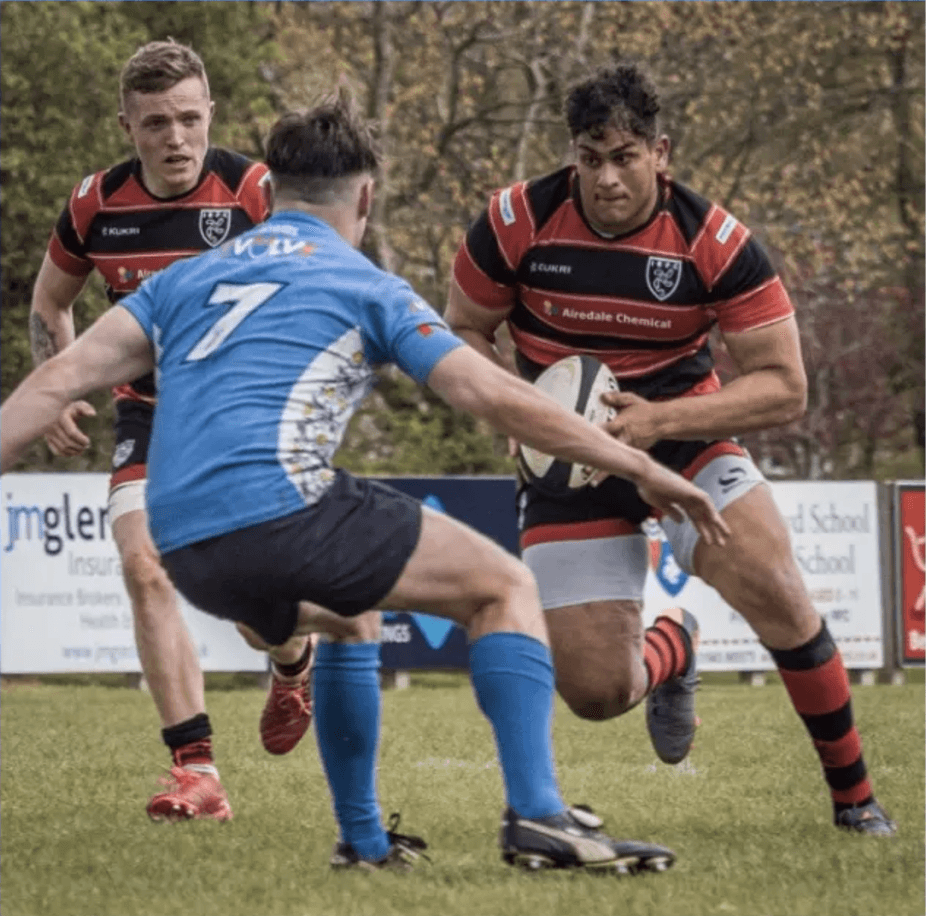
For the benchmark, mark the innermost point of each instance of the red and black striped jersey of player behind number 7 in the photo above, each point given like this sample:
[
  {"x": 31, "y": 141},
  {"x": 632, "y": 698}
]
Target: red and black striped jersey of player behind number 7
[{"x": 114, "y": 224}]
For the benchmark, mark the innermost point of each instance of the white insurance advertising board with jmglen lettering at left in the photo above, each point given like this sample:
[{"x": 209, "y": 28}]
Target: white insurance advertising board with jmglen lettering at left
[{"x": 63, "y": 605}]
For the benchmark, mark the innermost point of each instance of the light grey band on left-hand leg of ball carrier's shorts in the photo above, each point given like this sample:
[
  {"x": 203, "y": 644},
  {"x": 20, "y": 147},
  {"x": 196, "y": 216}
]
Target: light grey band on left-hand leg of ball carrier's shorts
[{"x": 599, "y": 569}]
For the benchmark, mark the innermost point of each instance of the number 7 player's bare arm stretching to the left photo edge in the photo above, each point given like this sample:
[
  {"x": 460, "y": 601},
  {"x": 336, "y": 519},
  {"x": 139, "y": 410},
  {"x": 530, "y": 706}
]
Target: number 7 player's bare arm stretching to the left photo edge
[{"x": 113, "y": 351}]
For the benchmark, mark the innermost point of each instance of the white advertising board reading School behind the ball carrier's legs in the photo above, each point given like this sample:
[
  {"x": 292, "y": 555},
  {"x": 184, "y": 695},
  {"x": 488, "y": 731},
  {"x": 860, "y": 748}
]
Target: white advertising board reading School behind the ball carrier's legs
[{"x": 835, "y": 539}]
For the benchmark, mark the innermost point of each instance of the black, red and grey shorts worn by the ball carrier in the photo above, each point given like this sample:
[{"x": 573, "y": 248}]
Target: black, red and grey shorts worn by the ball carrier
[{"x": 590, "y": 547}]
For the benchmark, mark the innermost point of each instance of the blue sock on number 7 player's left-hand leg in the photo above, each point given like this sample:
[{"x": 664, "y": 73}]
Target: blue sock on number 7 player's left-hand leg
[{"x": 345, "y": 692}]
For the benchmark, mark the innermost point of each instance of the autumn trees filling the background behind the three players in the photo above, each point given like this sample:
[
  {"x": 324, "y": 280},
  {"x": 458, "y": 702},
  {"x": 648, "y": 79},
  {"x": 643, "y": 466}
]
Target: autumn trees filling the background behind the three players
[{"x": 805, "y": 119}]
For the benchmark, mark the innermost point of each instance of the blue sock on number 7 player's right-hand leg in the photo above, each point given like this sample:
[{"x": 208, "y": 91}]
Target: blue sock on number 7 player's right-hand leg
[{"x": 512, "y": 676}]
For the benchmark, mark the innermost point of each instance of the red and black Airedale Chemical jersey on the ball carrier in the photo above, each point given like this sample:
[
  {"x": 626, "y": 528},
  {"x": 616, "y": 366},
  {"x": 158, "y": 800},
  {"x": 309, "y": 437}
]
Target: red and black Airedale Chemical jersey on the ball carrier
[{"x": 643, "y": 302}]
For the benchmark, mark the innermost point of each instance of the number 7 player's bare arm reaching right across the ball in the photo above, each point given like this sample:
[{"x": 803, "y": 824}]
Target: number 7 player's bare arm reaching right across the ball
[{"x": 470, "y": 382}]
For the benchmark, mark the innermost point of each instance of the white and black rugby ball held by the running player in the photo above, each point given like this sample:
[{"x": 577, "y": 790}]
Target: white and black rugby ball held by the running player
[{"x": 576, "y": 383}]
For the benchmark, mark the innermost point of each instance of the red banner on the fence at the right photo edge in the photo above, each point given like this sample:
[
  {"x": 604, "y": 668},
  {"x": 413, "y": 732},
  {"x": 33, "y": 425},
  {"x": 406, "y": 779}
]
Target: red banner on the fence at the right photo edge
[{"x": 910, "y": 570}]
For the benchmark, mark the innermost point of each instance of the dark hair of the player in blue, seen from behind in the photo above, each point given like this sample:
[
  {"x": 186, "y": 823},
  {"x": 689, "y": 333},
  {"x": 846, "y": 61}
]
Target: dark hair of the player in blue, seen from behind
[{"x": 309, "y": 152}]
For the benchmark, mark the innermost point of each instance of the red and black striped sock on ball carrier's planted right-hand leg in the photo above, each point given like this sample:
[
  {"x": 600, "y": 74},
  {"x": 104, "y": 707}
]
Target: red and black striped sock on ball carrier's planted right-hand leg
[{"x": 818, "y": 685}]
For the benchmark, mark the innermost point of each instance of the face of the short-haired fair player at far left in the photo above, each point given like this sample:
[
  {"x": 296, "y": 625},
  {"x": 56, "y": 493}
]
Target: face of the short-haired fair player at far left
[{"x": 170, "y": 131}]
